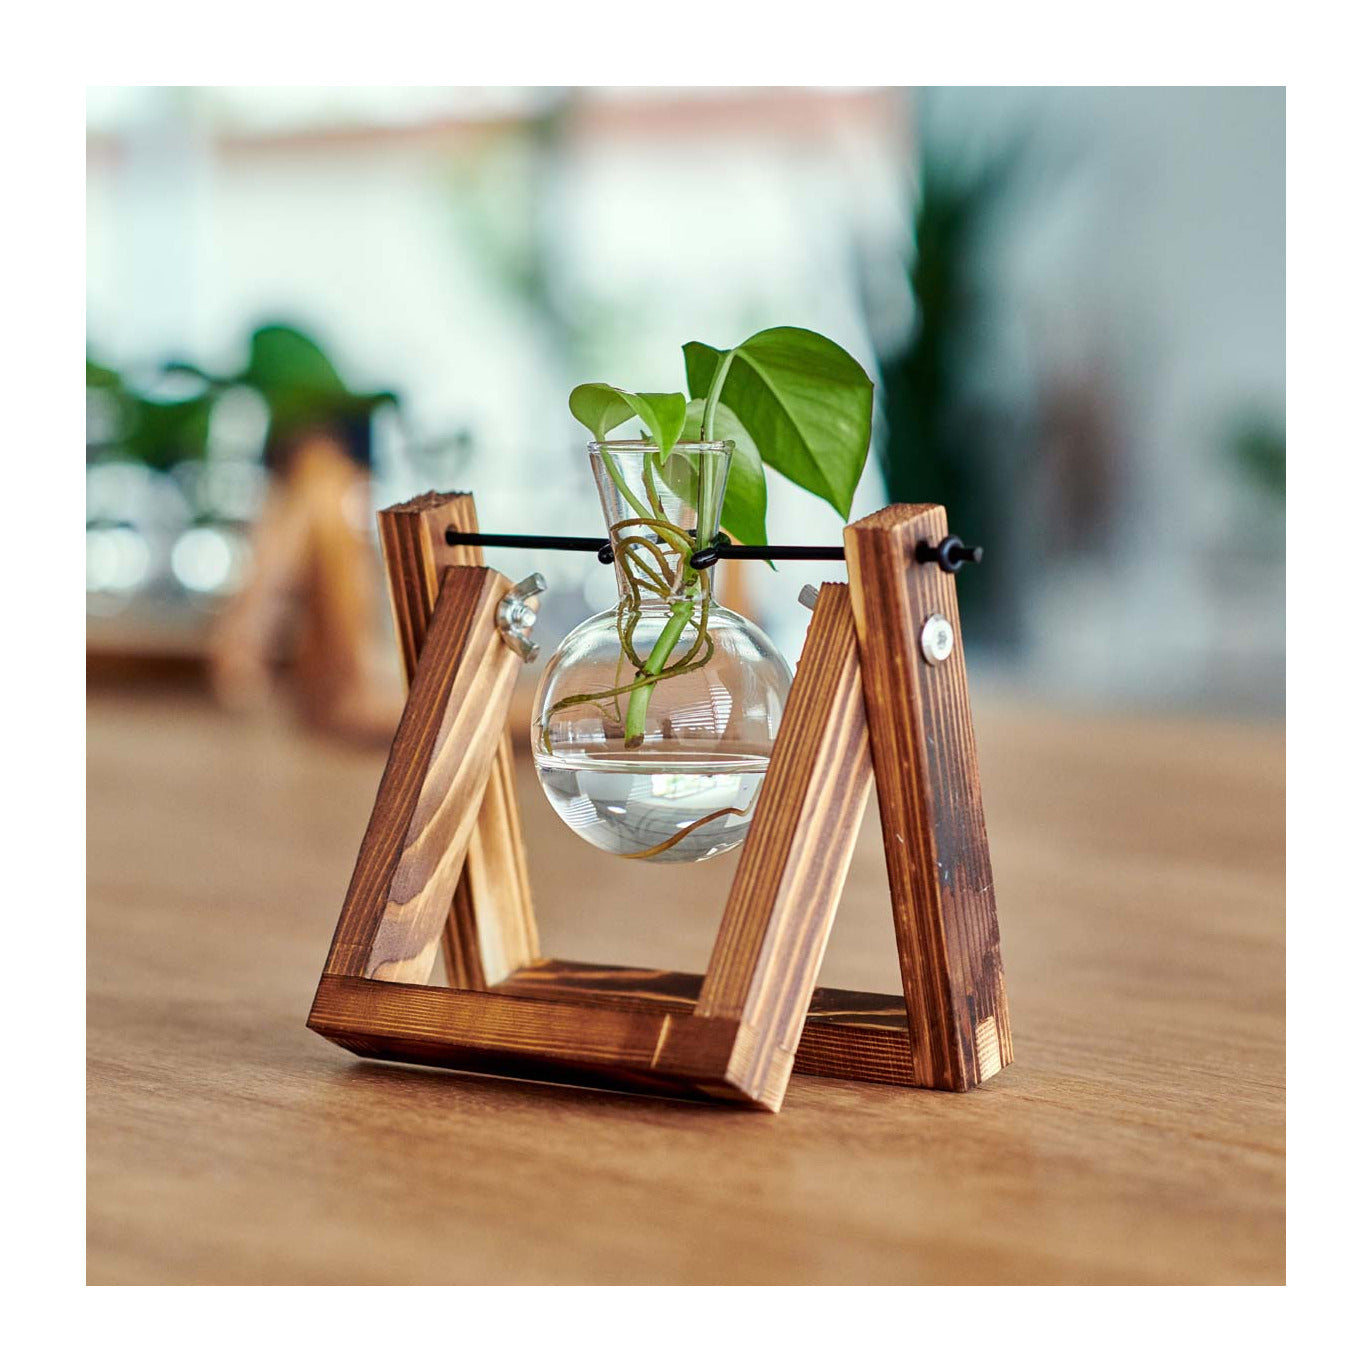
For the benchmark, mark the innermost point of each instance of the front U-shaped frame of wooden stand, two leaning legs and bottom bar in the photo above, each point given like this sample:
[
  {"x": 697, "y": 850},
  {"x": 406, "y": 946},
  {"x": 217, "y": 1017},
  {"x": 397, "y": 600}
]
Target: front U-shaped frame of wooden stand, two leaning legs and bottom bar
[{"x": 759, "y": 986}]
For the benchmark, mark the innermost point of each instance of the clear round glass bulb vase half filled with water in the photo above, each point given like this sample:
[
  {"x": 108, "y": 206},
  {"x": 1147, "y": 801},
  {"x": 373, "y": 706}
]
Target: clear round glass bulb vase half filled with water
[{"x": 655, "y": 721}]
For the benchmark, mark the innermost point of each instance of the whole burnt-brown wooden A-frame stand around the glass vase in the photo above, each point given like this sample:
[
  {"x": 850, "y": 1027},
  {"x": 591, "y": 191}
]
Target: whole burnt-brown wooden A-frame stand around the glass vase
[{"x": 442, "y": 864}]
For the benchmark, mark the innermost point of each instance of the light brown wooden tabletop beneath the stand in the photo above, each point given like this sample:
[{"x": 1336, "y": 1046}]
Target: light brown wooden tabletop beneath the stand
[{"x": 1138, "y": 1138}]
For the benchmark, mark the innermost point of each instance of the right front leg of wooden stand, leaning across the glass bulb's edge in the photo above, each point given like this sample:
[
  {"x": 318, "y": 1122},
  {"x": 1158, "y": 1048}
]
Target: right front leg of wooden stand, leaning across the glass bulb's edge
[{"x": 781, "y": 906}]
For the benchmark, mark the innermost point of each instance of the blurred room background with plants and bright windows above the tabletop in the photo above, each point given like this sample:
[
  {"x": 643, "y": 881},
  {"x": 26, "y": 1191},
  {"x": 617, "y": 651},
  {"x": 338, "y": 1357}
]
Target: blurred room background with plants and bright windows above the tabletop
[{"x": 1072, "y": 301}]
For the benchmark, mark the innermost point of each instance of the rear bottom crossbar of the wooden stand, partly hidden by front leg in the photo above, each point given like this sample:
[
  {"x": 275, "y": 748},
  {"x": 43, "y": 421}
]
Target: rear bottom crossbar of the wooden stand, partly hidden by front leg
[{"x": 858, "y": 1035}]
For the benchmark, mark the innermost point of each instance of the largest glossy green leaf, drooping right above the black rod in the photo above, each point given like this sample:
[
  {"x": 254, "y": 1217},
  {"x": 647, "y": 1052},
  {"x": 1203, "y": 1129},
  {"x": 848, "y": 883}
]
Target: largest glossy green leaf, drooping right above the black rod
[{"x": 803, "y": 400}]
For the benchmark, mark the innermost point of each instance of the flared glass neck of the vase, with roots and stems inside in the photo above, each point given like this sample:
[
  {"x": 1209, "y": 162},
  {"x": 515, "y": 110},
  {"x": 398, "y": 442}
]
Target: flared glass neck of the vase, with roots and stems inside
[{"x": 659, "y": 512}]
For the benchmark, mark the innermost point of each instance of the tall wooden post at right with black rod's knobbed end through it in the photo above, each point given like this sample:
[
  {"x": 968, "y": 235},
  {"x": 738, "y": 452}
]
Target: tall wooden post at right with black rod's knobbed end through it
[{"x": 930, "y": 792}]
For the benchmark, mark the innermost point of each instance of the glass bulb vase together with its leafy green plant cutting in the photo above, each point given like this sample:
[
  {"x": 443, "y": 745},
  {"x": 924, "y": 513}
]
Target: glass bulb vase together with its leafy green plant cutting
[{"x": 672, "y": 685}]
